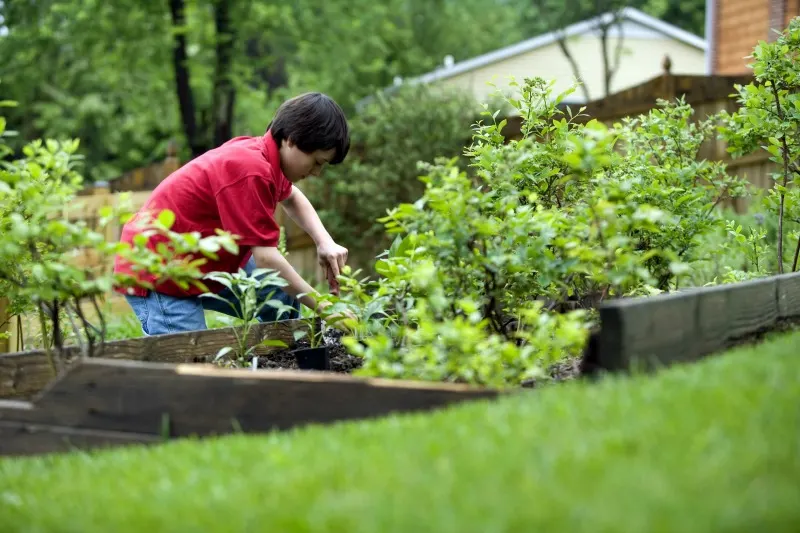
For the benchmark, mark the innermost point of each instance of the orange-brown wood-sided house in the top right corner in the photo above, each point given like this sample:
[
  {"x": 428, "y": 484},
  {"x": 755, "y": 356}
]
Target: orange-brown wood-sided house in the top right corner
[{"x": 734, "y": 28}]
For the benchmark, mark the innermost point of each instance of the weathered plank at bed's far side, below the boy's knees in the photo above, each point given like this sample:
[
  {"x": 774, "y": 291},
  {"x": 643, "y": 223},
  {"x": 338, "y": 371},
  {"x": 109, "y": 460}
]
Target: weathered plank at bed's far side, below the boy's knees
[{"x": 23, "y": 374}]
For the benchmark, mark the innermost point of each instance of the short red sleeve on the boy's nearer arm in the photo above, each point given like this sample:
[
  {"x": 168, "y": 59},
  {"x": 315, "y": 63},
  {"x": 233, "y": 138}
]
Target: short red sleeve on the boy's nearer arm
[{"x": 247, "y": 207}]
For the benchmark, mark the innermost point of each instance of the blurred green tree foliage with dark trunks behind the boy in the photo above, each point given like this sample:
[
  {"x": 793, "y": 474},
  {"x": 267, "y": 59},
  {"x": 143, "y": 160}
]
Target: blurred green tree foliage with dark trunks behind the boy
[{"x": 126, "y": 76}]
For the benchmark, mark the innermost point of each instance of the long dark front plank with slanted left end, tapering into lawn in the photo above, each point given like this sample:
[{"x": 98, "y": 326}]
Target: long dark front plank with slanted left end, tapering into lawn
[{"x": 129, "y": 396}]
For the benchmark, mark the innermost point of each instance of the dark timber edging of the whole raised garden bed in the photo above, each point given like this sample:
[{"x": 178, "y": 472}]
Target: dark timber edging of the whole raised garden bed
[{"x": 143, "y": 390}]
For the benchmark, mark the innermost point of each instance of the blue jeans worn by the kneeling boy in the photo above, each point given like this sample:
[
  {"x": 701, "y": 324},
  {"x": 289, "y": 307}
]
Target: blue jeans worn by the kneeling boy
[{"x": 160, "y": 313}]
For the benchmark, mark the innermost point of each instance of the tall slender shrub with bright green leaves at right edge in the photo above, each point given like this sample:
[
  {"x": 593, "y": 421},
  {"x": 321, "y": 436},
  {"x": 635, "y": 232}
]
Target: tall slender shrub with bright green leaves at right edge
[{"x": 769, "y": 118}]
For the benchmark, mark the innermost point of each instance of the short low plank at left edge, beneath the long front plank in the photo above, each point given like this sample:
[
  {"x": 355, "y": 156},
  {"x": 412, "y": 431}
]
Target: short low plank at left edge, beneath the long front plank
[{"x": 21, "y": 438}]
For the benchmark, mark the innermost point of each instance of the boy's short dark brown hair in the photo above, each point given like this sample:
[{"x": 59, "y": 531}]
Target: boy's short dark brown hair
[{"x": 312, "y": 121}]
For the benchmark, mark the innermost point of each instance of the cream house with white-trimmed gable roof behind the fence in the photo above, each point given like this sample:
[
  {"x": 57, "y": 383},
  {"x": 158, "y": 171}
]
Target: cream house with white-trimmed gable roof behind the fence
[{"x": 644, "y": 40}]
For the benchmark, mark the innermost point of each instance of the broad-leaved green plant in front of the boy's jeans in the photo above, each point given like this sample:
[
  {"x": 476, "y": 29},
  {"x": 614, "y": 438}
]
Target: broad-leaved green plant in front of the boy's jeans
[{"x": 247, "y": 291}]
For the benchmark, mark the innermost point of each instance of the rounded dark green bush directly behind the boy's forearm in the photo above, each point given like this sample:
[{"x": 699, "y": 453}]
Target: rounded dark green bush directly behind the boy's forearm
[{"x": 390, "y": 136}]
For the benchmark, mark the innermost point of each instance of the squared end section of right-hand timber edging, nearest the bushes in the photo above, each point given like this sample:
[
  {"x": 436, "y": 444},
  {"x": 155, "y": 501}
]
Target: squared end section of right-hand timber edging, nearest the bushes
[{"x": 647, "y": 332}]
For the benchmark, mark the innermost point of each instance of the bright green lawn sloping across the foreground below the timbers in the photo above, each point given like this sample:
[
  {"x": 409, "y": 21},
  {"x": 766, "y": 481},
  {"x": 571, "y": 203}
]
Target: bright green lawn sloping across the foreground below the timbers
[{"x": 708, "y": 447}]
